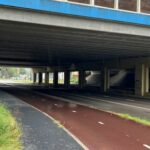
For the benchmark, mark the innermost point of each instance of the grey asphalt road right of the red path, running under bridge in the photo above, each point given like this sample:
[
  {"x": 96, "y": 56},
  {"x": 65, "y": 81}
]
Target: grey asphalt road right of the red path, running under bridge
[{"x": 133, "y": 106}]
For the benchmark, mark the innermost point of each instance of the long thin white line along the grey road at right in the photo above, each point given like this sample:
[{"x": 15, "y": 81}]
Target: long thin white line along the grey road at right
[{"x": 103, "y": 100}]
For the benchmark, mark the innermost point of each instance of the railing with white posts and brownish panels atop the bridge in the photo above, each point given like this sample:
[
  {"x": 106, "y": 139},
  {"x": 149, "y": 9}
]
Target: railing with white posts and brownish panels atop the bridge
[{"x": 140, "y": 6}]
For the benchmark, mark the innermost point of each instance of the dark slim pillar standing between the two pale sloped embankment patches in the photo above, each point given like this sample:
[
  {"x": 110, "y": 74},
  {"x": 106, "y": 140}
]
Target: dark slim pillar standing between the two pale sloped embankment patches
[{"x": 105, "y": 76}]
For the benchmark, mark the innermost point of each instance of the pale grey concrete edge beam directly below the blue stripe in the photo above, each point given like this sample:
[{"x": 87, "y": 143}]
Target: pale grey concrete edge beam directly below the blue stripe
[{"x": 66, "y": 21}]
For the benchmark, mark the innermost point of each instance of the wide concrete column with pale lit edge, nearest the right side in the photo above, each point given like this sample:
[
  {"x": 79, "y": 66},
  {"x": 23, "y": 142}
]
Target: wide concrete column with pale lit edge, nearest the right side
[{"x": 140, "y": 80}]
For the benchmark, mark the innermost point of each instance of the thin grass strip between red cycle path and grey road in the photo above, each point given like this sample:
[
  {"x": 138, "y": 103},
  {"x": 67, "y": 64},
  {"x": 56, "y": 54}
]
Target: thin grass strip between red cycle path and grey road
[{"x": 135, "y": 119}]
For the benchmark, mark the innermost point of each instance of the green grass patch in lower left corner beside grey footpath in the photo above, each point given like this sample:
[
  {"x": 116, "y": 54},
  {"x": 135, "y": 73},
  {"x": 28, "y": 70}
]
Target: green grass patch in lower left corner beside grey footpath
[{"x": 10, "y": 132}]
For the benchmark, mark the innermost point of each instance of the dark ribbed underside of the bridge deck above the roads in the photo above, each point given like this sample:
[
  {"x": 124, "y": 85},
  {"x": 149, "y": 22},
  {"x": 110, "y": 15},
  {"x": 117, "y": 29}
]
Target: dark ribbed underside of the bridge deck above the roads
[{"x": 31, "y": 44}]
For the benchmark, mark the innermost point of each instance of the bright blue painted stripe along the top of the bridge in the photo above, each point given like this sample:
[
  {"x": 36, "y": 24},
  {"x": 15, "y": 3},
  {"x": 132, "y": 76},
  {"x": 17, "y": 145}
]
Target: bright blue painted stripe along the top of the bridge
[{"x": 80, "y": 10}]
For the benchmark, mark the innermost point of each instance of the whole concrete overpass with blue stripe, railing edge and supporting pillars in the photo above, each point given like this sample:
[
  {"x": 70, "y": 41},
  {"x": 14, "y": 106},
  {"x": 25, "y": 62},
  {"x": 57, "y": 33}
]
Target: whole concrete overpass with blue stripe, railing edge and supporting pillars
[{"x": 54, "y": 36}]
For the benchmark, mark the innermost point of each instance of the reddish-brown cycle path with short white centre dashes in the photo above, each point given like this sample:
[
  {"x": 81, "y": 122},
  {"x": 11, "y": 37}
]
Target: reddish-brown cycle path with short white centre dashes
[{"x": 98, "y": 130}]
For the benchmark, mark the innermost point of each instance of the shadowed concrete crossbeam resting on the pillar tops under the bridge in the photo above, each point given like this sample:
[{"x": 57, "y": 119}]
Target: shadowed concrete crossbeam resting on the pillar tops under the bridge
[{"x": 124, "y": 63}]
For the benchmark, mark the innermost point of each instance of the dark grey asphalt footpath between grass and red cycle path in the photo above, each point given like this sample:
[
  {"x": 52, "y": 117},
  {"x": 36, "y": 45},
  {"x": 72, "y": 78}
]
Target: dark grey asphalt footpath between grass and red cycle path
[{"x": 39, "y": 132}]
